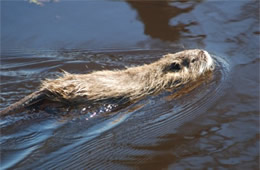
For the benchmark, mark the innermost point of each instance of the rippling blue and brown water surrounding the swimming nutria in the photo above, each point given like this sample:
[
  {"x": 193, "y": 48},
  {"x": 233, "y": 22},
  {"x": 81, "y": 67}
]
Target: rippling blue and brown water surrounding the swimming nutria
[{"x": 212, "y": 124}]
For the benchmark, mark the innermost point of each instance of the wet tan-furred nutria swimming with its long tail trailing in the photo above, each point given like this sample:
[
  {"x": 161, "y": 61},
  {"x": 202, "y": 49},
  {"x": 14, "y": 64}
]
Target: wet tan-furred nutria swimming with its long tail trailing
[{"x": 172, "y": 70}]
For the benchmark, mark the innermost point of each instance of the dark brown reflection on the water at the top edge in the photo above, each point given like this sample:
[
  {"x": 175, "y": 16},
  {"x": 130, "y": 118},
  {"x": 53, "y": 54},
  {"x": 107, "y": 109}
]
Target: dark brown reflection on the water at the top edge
[{"x": 156, "y": 17}]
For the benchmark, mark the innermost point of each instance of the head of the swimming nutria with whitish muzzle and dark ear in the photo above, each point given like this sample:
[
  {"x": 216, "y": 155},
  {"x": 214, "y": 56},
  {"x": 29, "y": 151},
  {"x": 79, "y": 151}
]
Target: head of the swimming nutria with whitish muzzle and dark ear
[{"x": 181, "y": 67}]
